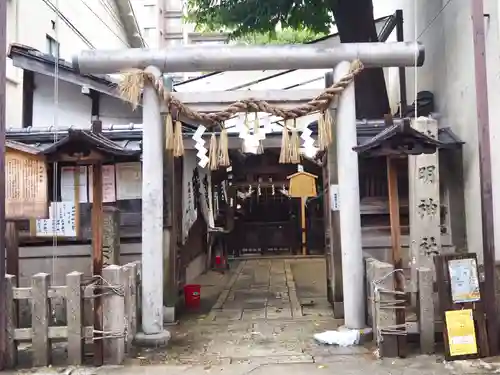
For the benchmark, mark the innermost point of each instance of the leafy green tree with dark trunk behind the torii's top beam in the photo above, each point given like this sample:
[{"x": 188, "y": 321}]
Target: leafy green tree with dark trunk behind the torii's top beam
[{"x": 353, "y": 18}]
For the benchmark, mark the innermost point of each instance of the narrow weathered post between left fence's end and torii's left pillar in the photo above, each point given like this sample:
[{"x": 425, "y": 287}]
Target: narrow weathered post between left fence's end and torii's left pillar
[{"x": 130, "y": 289}]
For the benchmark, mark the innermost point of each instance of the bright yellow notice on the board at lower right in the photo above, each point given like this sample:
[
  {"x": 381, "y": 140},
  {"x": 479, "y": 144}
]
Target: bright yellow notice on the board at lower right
[{"x": 461, "y": 332}]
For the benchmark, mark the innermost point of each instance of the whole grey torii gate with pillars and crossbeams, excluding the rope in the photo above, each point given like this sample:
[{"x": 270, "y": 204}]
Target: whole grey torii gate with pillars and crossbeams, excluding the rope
[{"x": 245, "y": 58}]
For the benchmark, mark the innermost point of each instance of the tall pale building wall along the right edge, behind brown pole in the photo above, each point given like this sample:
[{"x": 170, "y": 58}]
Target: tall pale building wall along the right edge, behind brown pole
[{"x": 445, "y": 28}]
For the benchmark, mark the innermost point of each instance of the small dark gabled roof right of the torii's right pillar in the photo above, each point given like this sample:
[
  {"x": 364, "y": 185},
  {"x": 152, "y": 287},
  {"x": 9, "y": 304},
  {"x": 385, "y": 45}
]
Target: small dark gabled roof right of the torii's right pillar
[{"x": 400, "y": 139}]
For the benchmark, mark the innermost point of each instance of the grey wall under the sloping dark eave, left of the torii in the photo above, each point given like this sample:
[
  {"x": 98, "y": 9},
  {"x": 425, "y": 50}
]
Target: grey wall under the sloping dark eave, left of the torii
[{"x": 75, "y": 108}]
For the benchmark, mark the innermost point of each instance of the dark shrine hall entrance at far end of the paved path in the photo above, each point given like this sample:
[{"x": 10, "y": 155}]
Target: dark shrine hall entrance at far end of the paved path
[{"x": 267, "y": 220}]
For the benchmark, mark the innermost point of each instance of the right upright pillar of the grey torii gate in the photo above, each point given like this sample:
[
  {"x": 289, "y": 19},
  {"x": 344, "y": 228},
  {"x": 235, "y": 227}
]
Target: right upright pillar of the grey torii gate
[{"x": 350, "y": 219}]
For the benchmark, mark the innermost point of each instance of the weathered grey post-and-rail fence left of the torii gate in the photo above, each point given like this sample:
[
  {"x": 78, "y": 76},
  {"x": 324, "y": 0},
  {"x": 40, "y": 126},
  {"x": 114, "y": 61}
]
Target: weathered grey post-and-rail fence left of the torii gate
[{"x": 118, "y": 290}]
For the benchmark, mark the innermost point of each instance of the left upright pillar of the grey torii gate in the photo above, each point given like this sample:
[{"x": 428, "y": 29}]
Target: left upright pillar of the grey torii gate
[{"x": 152, "y": 211}]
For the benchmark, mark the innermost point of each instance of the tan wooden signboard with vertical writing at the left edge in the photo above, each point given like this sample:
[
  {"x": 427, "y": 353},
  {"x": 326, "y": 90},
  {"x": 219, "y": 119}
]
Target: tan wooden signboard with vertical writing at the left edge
[{"x": 26, "y": 183}]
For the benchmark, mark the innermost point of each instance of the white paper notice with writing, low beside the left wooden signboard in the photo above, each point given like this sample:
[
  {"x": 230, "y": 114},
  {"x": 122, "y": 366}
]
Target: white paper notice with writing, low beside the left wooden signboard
[{"x": 61, "y": 221}]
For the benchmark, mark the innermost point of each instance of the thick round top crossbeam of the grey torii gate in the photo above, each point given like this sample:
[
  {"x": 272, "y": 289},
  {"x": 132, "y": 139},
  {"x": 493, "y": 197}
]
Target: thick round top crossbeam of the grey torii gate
[{"x": 240, "y": 58}]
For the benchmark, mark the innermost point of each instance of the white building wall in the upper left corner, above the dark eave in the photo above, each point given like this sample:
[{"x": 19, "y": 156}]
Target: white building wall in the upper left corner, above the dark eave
[{"x": 86, "y": 24}]
